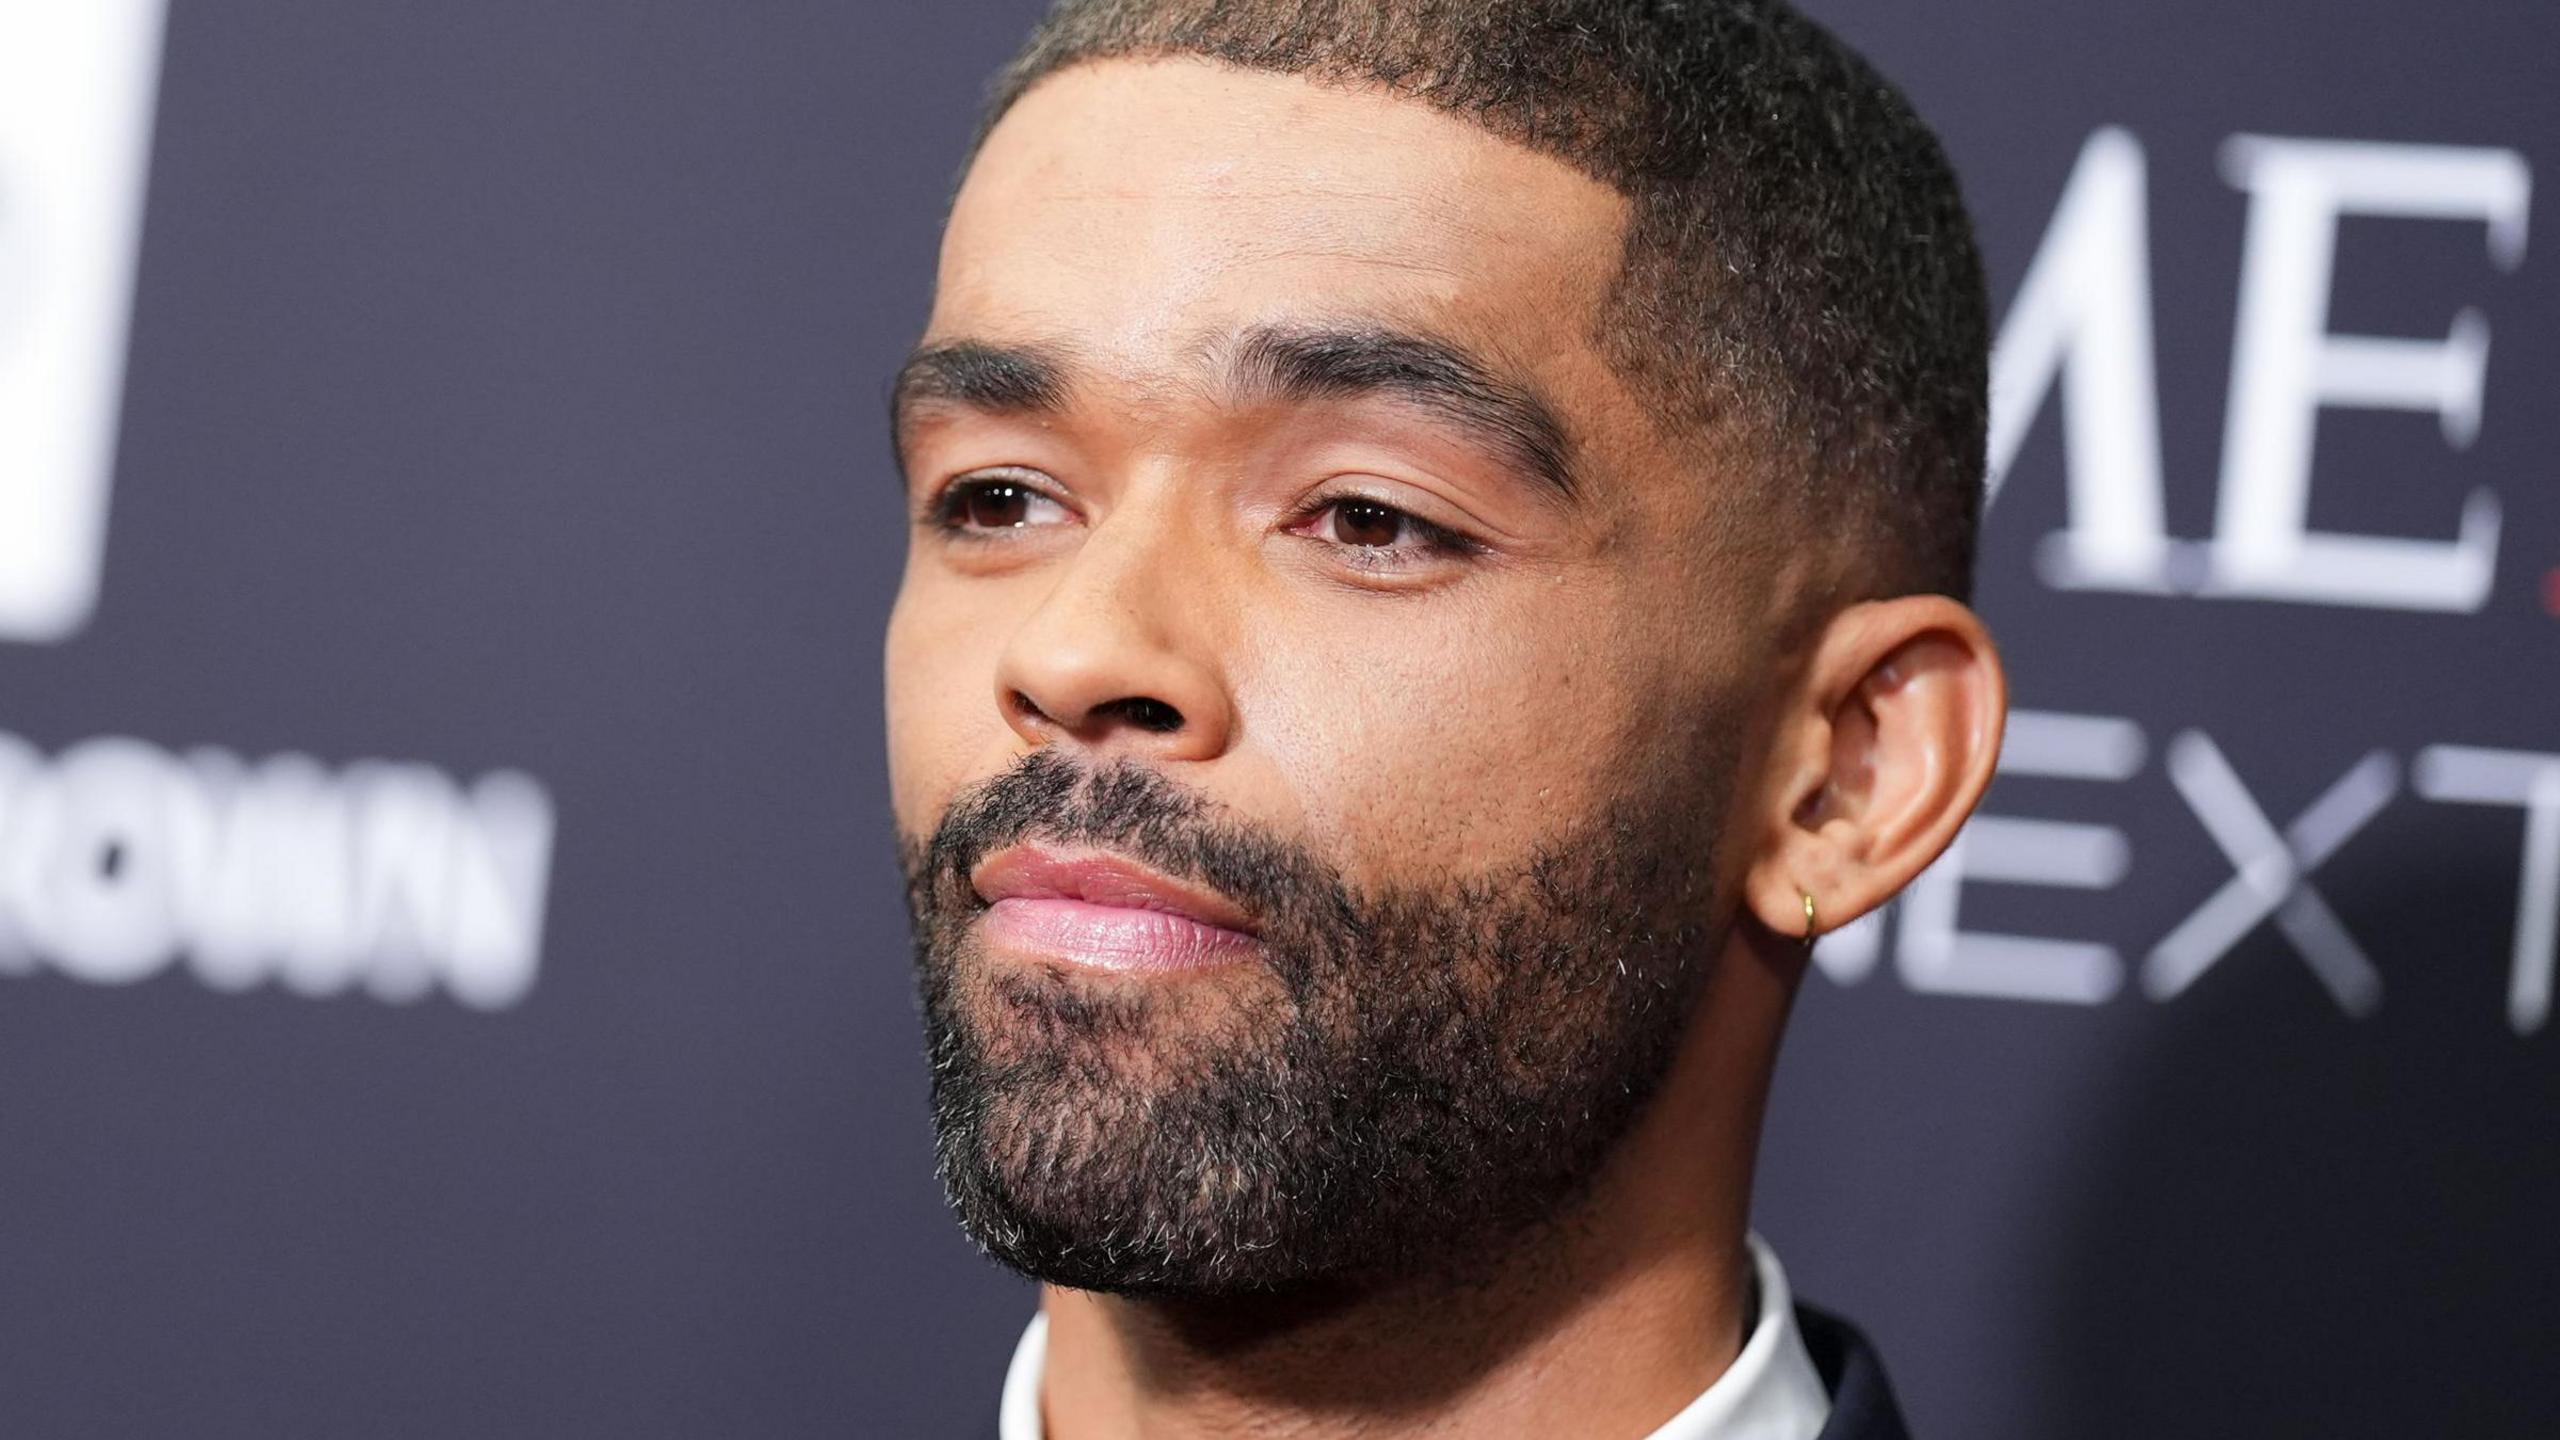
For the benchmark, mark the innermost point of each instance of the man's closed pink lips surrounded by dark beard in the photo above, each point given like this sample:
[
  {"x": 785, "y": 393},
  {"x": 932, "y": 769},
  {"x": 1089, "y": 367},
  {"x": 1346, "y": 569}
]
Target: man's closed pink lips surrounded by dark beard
[{"x": 1100, "y": 911}]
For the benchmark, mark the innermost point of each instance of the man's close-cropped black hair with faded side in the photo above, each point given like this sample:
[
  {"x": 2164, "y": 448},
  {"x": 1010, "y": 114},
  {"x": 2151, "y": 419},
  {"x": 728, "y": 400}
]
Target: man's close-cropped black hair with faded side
[{"x": 1798, "y": 255}]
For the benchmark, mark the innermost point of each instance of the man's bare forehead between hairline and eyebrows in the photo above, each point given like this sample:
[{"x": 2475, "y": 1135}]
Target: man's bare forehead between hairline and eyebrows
[{"x": 1135, "y": 209}]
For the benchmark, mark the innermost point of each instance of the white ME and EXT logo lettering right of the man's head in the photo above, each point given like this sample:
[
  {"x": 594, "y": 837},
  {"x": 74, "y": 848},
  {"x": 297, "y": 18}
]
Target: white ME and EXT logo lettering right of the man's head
[{"x": 2083, "y": 329}]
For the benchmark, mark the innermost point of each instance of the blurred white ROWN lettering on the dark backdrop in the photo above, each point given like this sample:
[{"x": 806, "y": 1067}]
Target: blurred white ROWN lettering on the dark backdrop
[{"x": 122, "y": 860}]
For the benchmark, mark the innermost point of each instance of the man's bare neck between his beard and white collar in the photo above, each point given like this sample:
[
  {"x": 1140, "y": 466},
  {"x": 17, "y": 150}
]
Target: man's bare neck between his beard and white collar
[{"x": 1601, "y": 1323}]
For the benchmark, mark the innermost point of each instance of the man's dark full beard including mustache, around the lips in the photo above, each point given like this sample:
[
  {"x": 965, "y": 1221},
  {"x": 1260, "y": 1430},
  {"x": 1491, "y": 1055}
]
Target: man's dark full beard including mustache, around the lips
[{"x": 1427, "y": 1075}]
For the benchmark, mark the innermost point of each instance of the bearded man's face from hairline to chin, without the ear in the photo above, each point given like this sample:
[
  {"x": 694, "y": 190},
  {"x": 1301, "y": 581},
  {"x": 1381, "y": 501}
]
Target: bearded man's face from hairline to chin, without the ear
[{"x": 1289, "y": 565}]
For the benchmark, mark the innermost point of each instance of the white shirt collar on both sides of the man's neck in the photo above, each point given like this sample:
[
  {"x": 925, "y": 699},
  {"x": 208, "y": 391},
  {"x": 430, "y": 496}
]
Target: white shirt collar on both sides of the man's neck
[{"x": 1770, "y": 1393}]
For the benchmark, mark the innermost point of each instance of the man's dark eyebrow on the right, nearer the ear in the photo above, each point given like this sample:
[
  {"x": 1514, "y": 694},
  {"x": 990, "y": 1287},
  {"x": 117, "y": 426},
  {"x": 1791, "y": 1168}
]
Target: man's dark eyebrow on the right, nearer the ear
[{"x": 1289, "y": 363}]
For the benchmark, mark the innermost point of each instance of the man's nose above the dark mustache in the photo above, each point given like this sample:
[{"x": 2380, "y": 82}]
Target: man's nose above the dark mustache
[{"x": 1123, "y": 655}]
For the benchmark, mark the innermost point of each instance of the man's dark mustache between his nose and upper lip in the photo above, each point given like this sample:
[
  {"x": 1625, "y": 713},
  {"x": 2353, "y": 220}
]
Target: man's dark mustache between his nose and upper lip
[{"x": 1125, "y": 808}]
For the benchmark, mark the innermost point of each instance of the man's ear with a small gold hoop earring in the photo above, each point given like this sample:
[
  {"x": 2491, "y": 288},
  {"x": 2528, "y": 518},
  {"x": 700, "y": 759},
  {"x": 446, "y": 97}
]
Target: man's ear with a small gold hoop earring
[{"x": 1883, "y": 752}]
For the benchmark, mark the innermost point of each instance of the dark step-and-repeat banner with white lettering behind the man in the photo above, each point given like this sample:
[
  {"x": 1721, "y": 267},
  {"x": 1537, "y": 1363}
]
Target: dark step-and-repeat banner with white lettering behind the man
[{"x": 452, "y": 965}]
